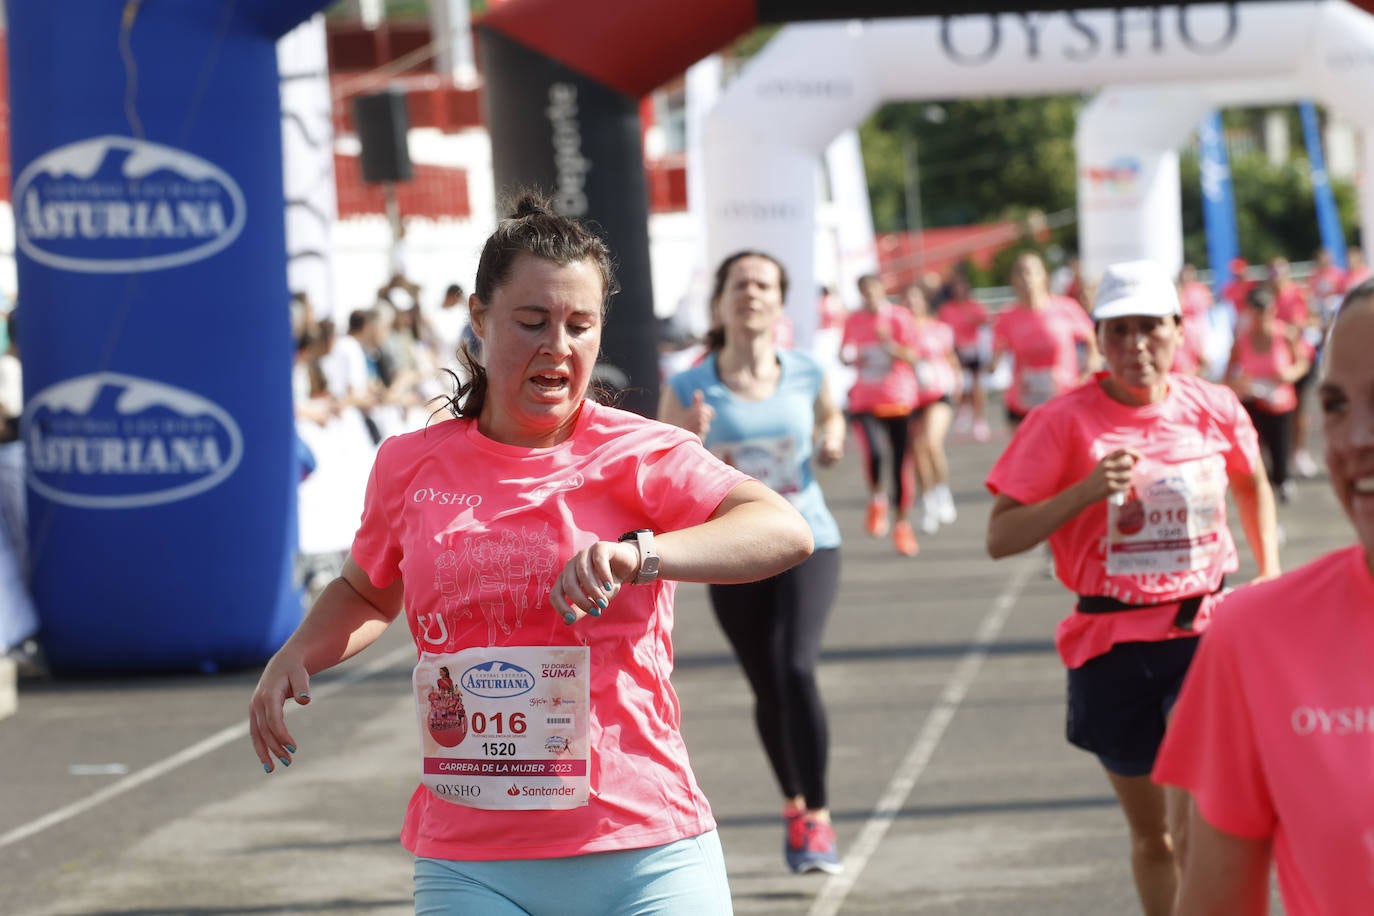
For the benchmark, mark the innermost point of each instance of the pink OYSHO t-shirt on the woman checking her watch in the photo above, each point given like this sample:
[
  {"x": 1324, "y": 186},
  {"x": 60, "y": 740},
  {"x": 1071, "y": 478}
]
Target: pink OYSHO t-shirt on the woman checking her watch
[{"x": 504, "y": 521}]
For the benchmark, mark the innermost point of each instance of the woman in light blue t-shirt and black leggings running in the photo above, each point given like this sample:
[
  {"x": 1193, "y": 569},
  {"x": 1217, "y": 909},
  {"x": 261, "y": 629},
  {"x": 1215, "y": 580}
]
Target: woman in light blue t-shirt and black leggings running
[{"x": 769, "y": 413}]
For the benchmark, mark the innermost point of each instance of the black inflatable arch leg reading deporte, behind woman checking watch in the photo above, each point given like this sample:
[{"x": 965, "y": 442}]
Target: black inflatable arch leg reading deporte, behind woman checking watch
[{"x": 579, "y": 142}]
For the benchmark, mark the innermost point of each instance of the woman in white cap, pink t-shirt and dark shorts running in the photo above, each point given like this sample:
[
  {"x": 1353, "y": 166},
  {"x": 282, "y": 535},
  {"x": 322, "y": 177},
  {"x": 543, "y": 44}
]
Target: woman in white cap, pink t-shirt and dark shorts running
[{"x": 1134, "y": 512}]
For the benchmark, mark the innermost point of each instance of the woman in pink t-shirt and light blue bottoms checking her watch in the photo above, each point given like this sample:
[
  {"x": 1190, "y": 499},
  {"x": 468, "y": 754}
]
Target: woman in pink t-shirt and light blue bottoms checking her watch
[{"x": 537, "y": 539}]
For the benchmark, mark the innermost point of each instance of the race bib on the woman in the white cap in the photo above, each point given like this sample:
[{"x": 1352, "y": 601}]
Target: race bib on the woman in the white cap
[{"x": 1171, "y": 520}]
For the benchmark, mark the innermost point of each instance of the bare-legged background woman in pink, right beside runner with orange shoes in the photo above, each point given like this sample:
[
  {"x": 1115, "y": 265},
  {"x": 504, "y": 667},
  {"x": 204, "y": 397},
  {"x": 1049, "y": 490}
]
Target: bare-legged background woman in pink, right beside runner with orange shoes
[{"x": 939, "y": 381}]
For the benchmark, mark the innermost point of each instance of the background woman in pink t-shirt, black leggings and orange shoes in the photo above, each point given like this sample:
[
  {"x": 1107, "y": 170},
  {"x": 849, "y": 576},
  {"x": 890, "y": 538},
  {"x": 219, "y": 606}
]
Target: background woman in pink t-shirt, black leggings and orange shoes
[{"x": 879, "y": 343}]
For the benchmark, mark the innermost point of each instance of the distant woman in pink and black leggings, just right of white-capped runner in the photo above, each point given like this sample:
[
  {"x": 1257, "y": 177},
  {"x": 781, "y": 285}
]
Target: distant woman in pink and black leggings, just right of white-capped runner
[{"x": 1266, "y": 360}]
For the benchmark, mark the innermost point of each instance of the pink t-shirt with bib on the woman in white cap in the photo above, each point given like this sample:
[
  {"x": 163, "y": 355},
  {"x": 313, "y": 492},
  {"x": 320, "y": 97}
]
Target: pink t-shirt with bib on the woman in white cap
[{"x": 1193, "y": 442}]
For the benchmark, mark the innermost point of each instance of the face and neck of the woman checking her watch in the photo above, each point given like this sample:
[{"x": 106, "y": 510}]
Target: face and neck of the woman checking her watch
[{"x": 541, "y": 336}]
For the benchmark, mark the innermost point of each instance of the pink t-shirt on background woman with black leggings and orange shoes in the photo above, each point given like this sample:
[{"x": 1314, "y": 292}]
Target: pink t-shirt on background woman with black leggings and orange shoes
[{"x": 883, "y": 384}]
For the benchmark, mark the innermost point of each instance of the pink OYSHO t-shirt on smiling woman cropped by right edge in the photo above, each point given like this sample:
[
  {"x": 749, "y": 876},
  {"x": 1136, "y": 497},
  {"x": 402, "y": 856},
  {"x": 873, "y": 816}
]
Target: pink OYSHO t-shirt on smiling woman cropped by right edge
[{"x": 1274, "y": 730}]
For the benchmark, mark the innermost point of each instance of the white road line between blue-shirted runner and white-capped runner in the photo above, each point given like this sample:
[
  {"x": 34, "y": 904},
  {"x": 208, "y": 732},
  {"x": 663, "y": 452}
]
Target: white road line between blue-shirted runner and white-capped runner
[{"x": 837, "y": 888}]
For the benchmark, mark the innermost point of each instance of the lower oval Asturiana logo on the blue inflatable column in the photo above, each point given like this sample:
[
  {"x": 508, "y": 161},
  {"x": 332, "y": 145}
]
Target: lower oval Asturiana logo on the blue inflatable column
[{"x": 117, "y": 442}]
